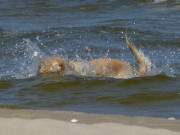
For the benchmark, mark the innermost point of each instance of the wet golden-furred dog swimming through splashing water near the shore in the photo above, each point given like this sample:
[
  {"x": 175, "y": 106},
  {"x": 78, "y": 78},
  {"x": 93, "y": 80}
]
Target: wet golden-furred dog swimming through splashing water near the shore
[{"x": 101, "y": 67}]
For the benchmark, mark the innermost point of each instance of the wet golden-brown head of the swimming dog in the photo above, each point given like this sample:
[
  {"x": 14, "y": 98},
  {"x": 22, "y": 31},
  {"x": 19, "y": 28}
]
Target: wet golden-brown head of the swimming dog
[{"x": 52, "y": 65}]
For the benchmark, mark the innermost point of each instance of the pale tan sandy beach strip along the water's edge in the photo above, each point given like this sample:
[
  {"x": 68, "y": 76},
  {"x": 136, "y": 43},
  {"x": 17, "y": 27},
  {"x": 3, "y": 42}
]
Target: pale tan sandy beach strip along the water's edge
[{"x": 37, "y": 122}]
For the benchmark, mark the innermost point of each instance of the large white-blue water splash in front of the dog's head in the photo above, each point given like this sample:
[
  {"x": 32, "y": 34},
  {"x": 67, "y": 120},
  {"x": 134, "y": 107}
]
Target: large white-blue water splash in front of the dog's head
[{"x": 24, "y": 64}]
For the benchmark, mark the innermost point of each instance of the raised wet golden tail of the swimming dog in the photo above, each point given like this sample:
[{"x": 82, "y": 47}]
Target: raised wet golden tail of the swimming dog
[{"x": 144, "y": 63}]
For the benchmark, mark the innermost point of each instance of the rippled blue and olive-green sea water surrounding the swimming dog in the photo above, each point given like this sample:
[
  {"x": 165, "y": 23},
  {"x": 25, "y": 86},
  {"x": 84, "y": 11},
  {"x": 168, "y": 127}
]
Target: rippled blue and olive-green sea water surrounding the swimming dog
[{"x": 31, "y": 30}]
